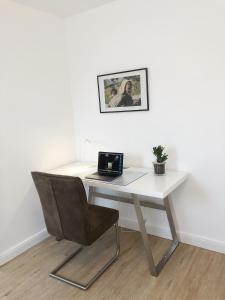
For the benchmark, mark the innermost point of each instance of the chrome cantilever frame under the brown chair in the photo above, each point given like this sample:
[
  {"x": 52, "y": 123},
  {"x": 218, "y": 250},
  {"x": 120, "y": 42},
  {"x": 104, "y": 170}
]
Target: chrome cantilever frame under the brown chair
[{"x": 98, "y": 274}]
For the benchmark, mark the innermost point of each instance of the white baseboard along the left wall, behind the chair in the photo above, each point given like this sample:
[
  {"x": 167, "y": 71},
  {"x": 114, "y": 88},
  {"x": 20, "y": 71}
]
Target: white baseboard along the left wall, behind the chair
[{"x": 22, "y": 246}]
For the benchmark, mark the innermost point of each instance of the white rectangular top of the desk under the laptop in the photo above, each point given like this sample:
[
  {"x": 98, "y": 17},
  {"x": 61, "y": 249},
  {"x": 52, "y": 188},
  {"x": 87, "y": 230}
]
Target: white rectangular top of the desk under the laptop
[{"x": 149, "y": 185}]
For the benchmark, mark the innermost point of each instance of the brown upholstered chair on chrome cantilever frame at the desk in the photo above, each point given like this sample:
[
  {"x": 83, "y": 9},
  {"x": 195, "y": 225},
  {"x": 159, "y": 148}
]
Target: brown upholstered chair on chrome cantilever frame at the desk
[{"x": 69, "y": 216}]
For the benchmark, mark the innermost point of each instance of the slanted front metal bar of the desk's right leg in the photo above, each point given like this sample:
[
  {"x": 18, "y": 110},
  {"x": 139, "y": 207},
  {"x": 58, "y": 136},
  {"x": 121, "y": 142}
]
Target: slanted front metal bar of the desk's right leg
[{"x": 144, "y": 235}]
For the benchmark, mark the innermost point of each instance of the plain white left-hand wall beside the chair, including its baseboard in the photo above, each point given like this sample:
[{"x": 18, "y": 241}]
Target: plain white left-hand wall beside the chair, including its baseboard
[{"x": 36, "y": 131}]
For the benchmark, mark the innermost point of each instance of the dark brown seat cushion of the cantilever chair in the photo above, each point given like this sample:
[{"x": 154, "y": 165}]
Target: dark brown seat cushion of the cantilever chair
[{"x": 100, "y": 220}]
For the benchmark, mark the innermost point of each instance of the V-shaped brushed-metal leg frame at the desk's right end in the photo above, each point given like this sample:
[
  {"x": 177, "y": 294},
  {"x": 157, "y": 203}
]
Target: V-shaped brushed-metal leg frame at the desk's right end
[{"x": 156, "y": 269}]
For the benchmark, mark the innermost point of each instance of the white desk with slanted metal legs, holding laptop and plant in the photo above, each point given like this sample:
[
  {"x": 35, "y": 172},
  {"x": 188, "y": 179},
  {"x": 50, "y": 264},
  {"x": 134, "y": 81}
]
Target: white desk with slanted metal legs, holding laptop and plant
[{"x": 140, "y": 193}]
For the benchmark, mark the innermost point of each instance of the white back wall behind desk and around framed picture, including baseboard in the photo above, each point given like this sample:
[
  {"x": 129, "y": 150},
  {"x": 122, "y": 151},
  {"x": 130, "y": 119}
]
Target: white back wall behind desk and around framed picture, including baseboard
[{"x": 182, "y": 43}]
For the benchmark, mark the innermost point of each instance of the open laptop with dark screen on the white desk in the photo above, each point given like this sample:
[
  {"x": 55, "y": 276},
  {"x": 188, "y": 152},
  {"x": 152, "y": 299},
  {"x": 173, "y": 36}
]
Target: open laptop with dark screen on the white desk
[{"x": 110, "y": 166}]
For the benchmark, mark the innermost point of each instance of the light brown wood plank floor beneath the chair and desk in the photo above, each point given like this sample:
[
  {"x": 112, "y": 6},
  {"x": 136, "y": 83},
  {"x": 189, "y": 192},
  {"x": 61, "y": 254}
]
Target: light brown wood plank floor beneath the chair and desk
[{"x": 191, "y": 273}]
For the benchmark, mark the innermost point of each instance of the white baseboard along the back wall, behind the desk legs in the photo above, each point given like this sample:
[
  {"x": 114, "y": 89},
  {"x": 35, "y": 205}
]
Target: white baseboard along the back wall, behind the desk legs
[{"x": 184, "y": 237}]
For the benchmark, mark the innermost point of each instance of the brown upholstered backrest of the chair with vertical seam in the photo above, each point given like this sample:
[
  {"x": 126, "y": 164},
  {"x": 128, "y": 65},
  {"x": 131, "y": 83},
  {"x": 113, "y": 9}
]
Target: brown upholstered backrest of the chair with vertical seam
[{"x": 64, "y": 205}]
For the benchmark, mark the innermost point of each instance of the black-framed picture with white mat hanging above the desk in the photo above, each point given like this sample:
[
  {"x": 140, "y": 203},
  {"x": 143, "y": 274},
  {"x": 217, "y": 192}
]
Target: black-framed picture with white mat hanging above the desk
[{"x": 123, "y": 91}]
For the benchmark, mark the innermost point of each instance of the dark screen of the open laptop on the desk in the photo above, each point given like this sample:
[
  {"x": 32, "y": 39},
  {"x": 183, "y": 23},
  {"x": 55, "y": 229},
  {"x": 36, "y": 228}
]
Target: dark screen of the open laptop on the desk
[{"x": 110, "y": 163}]
